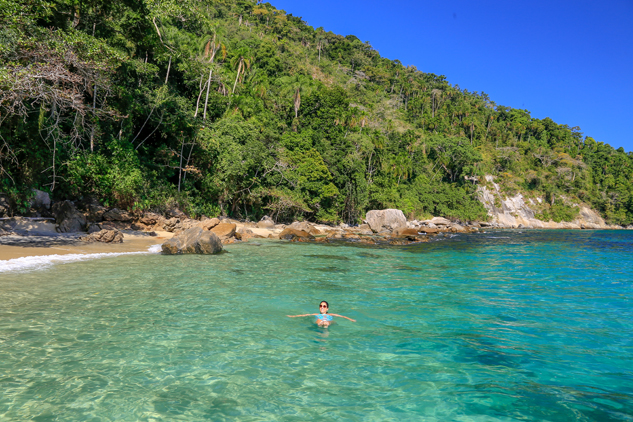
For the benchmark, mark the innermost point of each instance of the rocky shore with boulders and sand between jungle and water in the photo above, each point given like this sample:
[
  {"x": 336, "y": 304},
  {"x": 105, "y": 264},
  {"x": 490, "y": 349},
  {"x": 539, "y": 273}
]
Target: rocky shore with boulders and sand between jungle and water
[{"x": 86, "y": 227}]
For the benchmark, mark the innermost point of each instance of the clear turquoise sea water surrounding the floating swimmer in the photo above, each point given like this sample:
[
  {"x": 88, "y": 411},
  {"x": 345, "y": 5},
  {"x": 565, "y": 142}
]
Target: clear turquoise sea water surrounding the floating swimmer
[{"x": 503, "y": 326}]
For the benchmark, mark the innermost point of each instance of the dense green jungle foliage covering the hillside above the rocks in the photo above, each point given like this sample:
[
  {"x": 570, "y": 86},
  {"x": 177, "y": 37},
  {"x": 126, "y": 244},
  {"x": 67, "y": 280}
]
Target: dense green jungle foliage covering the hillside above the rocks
[{"x": 237, "y": 108}]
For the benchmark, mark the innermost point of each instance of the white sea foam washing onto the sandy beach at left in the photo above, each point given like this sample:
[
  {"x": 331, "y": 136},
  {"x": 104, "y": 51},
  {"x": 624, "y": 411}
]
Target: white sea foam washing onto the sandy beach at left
[{"x": 30, "y": 263}]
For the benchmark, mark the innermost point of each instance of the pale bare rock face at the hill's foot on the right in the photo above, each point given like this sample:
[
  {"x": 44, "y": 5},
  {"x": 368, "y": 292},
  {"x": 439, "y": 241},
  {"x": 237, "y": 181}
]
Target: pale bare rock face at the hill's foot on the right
[{"x": 518, "y": 211}]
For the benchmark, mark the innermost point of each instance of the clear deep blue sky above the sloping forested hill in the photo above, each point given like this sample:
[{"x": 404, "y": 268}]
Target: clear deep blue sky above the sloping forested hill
[{"x": 571, "y": 61}]
